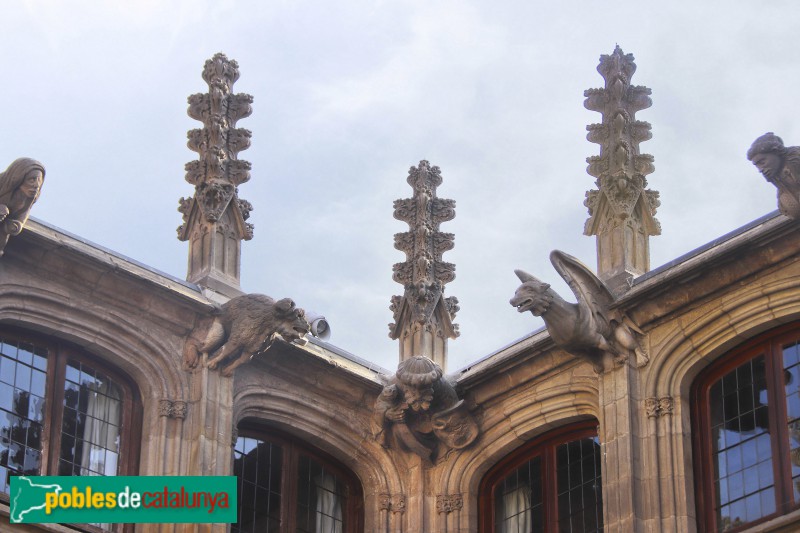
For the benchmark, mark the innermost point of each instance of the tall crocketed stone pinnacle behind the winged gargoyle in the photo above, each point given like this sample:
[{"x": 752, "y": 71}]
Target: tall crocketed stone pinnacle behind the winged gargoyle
[{"x": 621, "y": 210}]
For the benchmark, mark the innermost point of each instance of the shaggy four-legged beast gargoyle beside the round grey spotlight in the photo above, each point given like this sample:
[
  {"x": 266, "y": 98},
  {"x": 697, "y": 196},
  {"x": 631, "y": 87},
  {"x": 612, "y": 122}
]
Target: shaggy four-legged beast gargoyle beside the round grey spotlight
[{"x": 243, "y": 327}]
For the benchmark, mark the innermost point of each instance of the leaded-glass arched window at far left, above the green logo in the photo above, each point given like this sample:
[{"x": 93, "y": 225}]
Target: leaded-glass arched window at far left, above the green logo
[{"x": 62, "y": 412}]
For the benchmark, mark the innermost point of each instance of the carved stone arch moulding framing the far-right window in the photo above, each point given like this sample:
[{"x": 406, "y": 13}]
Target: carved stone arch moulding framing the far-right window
[{"x": 695, "y": 340}]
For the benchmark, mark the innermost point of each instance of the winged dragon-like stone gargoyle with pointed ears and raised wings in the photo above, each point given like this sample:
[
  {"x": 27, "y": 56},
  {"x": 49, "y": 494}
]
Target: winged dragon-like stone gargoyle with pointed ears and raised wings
[{"x": 590, "y": 329}]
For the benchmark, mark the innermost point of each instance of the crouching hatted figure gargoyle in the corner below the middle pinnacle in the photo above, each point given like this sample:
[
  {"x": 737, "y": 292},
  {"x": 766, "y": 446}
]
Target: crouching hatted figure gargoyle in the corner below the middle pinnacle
[{"x": 419, "y": 411}]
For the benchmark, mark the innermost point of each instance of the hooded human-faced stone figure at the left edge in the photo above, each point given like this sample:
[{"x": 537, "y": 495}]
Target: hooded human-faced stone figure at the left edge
[{"x": 20, "y": 186}]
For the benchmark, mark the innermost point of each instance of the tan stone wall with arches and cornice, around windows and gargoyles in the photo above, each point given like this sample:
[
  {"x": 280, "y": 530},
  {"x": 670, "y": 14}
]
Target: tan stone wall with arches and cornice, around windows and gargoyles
[{"x": 693, "y": 312}]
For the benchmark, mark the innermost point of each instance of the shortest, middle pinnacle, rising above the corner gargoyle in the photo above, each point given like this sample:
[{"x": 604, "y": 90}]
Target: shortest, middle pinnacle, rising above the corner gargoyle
[{"x": 423, "y": 317}]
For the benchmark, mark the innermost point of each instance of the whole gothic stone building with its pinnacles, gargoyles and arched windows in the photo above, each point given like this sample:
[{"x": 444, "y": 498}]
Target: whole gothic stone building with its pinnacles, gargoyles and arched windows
[{"x": 695, "y": 426}]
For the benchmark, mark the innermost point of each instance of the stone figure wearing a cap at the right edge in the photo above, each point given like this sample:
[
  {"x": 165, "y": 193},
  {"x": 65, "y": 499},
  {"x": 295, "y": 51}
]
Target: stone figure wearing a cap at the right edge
[{"x": 780, "y": 166}]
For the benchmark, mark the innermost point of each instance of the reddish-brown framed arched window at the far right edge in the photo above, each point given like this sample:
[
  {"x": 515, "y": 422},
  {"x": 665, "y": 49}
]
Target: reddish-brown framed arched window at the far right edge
[{"x": 746, "y": 429}]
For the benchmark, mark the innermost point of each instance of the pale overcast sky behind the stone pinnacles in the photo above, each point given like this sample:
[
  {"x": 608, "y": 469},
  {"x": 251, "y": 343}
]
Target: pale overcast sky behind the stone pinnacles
[{"x": 350, "y": 94}]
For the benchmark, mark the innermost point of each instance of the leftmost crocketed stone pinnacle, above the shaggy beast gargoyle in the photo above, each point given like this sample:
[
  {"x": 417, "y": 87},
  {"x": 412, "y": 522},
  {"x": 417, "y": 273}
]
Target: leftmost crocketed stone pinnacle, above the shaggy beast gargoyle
[{"x": 214, "y": 219}]
